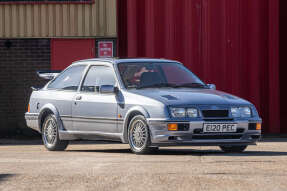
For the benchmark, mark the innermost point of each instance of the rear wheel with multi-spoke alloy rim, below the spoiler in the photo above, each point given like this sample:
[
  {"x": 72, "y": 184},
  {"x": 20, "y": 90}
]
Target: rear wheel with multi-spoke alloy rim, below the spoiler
[{"x": 50, "y": 135}]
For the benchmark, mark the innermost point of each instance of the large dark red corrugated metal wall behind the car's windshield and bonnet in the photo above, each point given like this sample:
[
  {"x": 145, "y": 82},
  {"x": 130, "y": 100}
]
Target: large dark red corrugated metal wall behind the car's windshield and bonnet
[{"x": 232, "y": 43}]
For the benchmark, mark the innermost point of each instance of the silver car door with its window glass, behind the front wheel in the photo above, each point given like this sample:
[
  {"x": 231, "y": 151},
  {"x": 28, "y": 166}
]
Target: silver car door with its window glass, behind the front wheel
[{"x": 93, "y": 111}]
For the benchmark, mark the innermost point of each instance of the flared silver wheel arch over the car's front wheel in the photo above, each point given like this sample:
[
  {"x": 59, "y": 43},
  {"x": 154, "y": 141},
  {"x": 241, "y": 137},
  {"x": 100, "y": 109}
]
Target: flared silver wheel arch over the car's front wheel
[{"x": 132, "y": 112}]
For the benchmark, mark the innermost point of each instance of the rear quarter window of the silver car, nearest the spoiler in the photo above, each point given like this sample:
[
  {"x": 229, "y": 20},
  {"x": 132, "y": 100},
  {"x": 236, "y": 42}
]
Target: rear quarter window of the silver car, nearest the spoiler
[{"x": 69, "y": 79}]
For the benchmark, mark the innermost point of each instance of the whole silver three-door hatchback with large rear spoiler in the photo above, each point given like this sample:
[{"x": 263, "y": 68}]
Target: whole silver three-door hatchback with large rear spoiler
[{"x": 147, "y": 103}]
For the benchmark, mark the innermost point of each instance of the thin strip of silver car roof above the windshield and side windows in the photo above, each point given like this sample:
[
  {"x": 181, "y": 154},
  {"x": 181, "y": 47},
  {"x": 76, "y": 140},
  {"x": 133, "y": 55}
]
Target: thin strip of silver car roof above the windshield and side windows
[{"x": 122, "y": 60}]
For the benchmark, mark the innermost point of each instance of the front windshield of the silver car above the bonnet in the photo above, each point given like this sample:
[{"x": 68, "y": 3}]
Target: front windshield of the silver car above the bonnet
[{"x": 157, "y": 75}]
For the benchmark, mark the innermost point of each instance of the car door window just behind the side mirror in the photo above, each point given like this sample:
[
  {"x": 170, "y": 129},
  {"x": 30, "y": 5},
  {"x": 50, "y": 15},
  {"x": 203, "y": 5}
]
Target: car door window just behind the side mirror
[{"x": 97, "y": 76}]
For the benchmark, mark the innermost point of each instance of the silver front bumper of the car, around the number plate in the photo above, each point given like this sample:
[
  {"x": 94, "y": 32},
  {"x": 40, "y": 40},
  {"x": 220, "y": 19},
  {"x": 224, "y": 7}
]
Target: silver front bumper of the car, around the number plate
[{"x": 160, "y": 136}]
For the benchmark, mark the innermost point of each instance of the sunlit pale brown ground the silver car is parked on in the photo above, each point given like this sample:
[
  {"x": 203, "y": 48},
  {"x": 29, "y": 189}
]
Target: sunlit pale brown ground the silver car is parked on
[{"x": 114, "y": 167}]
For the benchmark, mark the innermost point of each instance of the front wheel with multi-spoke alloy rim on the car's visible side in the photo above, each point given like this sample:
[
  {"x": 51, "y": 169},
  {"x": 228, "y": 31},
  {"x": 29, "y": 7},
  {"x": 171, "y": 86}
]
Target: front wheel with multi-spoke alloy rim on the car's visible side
[{"x": 139, "y": 136}]
